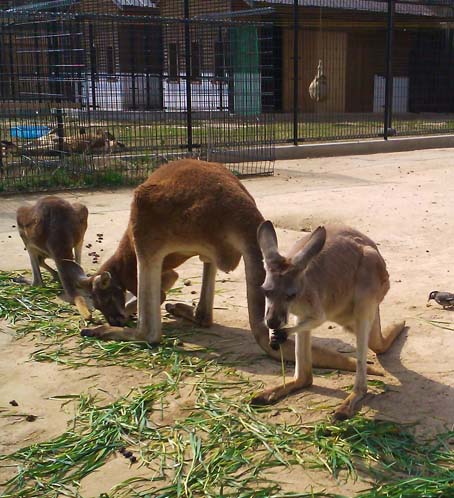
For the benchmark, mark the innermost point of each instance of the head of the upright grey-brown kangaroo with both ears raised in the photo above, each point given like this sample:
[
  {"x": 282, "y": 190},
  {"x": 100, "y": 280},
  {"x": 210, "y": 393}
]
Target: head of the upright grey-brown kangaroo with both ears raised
[{"x": 284, "y": 279}]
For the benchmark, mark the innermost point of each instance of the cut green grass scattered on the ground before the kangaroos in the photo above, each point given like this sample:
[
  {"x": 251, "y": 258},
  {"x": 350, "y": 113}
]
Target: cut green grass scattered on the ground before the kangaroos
[{"x": 218, "y": 445}]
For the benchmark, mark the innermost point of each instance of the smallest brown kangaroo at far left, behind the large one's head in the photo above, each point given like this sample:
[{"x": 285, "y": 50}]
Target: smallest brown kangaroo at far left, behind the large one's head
[{"x": 54, "y": 228}]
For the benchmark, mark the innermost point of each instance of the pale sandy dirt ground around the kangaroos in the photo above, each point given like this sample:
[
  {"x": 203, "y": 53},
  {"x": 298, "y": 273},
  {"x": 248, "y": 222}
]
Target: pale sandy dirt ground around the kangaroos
[{"x": 401, "y": 200}]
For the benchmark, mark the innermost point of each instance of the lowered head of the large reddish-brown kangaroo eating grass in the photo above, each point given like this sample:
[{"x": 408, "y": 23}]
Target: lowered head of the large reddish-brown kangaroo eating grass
[{"x": 107, "y": 294}]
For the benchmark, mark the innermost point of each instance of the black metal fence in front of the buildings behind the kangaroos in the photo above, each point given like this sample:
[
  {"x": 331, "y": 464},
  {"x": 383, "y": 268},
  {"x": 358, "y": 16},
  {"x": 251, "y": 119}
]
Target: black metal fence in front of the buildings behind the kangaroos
[{"x": 102, "y": 93}]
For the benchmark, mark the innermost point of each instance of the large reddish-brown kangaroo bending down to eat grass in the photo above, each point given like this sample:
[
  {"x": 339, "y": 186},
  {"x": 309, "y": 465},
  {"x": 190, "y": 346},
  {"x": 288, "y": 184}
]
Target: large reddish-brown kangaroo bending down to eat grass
[{"x": 186, "y": 208}]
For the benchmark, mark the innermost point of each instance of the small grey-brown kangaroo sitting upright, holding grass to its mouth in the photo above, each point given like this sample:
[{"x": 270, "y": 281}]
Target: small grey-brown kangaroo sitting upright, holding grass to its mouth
[{"x": 336, "y": 274}]
